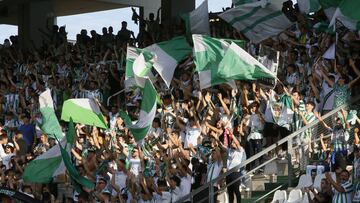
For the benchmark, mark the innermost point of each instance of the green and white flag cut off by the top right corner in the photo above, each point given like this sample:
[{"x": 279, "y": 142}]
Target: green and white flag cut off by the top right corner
[{"x": 348, "y": 14}]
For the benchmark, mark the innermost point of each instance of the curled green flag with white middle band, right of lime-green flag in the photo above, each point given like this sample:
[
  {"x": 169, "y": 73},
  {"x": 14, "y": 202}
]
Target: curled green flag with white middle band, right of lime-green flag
[{"x": 147, "y": 113}]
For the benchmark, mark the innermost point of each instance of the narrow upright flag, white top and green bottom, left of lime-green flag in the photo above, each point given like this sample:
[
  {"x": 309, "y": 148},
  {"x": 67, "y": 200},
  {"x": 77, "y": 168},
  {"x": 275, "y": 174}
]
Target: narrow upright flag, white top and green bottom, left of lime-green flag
[{"x": 50, "y": 124}]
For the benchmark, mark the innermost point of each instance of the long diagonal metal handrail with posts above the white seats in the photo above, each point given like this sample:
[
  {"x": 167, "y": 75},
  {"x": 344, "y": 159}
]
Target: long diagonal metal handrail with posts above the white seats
[{"x": 288, "y": 139}]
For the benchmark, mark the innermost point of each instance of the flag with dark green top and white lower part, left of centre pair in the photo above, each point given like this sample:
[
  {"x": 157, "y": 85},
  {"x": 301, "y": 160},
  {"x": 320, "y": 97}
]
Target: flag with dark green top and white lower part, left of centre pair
[{"x": 167, "y": 55}]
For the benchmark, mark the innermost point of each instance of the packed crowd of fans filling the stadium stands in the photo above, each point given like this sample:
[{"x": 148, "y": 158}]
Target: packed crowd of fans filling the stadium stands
[{"x": 197, "y": 134}]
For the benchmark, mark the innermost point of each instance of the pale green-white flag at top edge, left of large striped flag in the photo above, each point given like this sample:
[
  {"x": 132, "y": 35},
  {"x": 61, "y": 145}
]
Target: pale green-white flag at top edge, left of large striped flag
[{"x": 197, "y": 21}]
